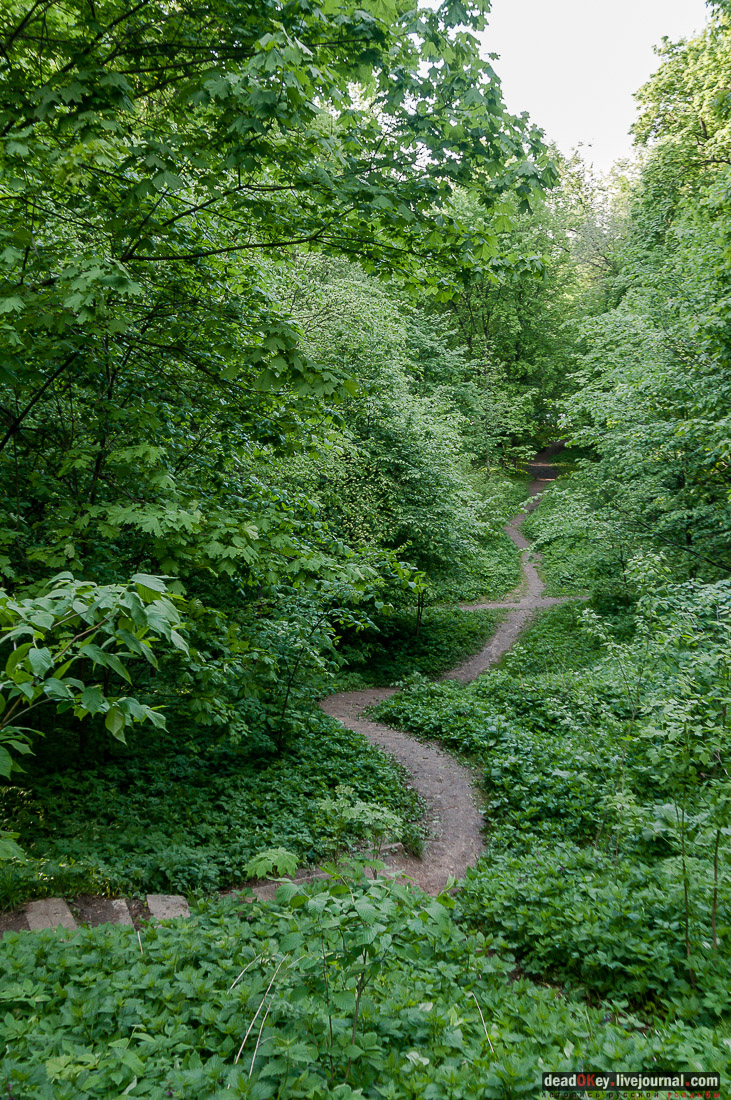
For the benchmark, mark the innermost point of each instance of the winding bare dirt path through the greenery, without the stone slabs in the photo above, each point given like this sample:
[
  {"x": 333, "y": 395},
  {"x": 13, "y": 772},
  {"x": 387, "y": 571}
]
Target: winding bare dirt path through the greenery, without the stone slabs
[{"x": 455, "y": 821}]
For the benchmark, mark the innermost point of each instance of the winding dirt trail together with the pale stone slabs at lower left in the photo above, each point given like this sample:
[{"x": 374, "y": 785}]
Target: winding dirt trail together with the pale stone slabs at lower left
[{"x": 453, "y": 819}]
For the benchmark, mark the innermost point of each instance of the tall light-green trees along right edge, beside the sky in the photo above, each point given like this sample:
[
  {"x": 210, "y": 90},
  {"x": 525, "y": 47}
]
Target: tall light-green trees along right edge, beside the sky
[{"x": 652, "y": 395}]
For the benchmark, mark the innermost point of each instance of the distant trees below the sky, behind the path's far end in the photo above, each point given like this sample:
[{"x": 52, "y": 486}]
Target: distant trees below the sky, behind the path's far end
[{"x": 517, "y": 321}]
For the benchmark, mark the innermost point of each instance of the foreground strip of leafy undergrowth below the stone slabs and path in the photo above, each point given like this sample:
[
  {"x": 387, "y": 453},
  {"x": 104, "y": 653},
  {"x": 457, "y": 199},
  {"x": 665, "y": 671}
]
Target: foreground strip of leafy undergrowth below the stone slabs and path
[{"x": 349, "y": 988}]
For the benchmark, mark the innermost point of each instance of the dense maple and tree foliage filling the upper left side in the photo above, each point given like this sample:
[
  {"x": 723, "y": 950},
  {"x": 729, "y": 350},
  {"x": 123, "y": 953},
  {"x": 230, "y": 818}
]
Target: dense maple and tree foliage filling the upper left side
[{"x": 229, "y": 237}]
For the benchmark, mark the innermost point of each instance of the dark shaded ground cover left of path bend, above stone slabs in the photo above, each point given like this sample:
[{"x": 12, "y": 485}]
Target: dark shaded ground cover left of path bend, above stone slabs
[{"x": 171, "y": 815}]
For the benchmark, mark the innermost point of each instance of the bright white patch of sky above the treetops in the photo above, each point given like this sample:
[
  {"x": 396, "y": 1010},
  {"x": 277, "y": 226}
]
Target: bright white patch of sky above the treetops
[{"x": 574, "y": 65}]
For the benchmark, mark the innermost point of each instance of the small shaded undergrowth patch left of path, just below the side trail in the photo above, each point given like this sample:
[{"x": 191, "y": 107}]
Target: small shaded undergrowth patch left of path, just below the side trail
[{"x": 447, "y": 637}]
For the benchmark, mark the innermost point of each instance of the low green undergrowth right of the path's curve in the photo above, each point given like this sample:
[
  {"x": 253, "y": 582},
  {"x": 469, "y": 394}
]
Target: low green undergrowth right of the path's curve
[{"x": 592, "y": 855}]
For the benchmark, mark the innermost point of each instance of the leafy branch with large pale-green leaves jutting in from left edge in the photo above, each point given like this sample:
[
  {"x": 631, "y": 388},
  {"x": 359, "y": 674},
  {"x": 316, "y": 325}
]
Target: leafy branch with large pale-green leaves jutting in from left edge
[{"x": 68, "y": 648}]
